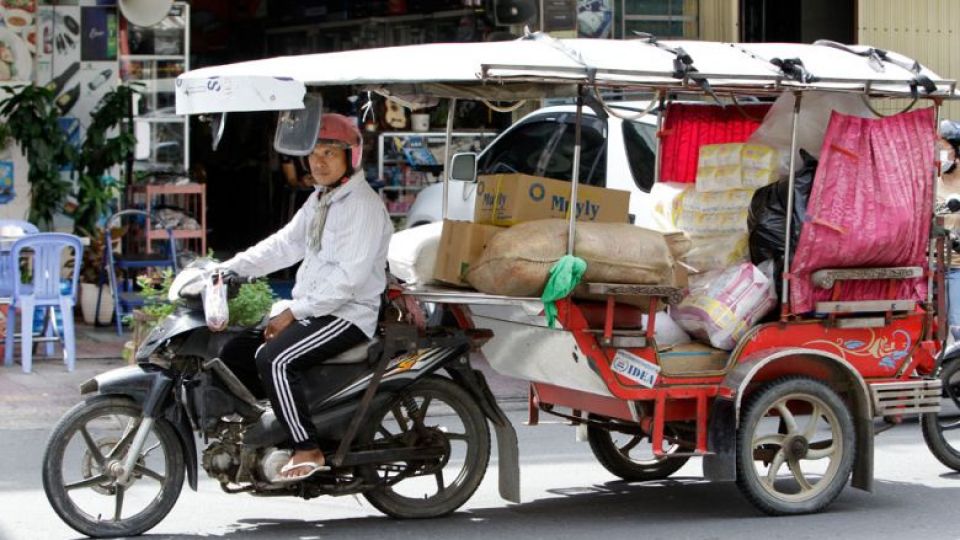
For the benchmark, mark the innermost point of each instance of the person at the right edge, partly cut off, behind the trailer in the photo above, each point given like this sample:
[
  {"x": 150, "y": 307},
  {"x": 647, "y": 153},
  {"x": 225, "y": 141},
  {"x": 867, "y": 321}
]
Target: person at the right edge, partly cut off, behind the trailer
[{"x": 948, "y": 188}]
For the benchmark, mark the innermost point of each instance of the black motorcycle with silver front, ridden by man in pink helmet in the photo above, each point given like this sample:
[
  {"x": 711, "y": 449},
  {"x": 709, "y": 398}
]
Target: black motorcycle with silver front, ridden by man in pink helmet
[{"x": 402, "y": 421}]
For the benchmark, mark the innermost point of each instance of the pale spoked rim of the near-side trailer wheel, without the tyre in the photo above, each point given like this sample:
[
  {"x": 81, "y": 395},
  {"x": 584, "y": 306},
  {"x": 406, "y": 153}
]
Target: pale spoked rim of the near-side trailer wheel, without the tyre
[{"x": 779, "y": 456}]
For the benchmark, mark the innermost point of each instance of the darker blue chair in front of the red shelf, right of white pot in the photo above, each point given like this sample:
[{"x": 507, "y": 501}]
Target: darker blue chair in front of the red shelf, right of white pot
[{"x": 126, "y": 298}]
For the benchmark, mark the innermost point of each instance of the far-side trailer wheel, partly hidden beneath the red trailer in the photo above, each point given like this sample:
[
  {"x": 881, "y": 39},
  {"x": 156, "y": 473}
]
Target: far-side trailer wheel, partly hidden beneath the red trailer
[{"x": 630, "y": 455}]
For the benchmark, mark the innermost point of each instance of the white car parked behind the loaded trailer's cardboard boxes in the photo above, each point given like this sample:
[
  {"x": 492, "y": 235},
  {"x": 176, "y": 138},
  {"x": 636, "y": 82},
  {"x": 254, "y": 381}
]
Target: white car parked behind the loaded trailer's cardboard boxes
[{"x": 615, "y": 153}]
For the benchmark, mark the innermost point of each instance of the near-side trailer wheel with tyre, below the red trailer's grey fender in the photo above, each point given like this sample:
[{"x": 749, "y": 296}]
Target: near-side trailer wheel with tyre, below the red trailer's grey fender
[{"x": 795, "y": 447}]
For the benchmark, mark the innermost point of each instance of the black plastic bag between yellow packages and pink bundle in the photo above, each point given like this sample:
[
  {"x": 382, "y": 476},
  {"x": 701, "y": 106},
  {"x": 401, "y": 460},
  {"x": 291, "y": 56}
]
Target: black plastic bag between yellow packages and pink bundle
[{"x": 766, "y": 220}]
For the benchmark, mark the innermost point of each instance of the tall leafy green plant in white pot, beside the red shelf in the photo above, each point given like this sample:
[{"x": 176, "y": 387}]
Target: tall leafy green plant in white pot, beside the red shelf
[{"x": 108, "y": 142}]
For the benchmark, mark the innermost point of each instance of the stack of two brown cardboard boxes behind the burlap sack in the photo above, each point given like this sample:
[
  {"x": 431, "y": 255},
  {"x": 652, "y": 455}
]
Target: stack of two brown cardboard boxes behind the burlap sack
[{"x": 507, "y": 199}]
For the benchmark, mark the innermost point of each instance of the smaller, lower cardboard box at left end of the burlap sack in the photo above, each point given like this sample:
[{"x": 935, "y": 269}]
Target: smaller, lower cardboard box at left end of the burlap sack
[{"x": 461, "y": 244}]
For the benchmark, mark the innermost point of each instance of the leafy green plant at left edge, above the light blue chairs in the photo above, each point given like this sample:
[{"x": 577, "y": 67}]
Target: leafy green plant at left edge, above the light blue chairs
[{"x": 31, "y": 115}]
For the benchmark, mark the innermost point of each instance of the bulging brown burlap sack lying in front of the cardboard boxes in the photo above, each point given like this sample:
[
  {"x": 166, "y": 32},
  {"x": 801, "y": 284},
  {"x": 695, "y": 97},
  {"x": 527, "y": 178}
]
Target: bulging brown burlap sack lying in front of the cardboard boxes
[{"x": 517, "y": 261}]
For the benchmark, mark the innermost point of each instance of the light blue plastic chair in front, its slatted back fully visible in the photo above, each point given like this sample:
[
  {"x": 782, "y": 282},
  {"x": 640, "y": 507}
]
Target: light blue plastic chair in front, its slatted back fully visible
[{"x": 43, "y": 291}]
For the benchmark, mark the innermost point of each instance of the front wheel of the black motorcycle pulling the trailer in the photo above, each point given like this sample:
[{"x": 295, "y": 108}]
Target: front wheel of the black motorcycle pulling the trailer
[{"x": 81, "y": 464}]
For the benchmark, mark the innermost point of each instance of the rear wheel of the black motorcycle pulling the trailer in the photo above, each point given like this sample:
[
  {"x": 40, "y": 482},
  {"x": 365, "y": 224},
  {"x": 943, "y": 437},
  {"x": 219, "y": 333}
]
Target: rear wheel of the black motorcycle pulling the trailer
[{"x": 434, "y": 413}]
